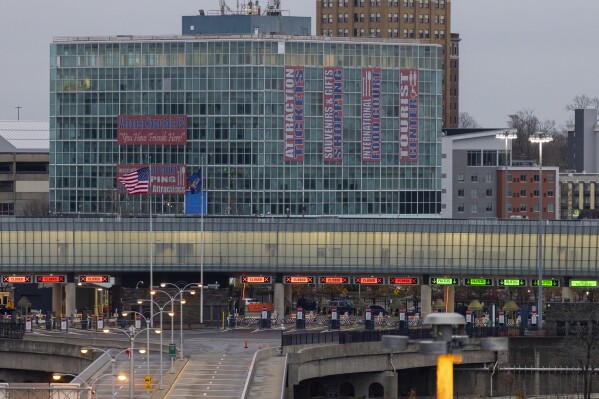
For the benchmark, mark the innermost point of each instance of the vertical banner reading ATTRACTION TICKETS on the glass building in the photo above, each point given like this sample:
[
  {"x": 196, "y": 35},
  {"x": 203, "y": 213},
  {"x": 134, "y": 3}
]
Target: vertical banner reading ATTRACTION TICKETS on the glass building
[{"x": 294, "y": 113}]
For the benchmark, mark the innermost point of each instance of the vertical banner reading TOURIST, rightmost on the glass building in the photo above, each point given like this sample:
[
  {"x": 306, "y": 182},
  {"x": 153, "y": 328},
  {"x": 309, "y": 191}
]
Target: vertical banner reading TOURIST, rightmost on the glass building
[{"x": 408, "y": 115}]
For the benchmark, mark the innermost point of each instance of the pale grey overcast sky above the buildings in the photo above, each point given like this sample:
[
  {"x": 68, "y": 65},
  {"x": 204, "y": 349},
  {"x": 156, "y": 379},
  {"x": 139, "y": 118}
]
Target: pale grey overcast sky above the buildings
[{"x": 515, "y": 54}]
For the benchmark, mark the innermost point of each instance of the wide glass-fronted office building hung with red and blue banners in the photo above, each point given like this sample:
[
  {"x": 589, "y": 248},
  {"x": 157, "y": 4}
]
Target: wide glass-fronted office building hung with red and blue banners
[{"x": 264, "y": 114}]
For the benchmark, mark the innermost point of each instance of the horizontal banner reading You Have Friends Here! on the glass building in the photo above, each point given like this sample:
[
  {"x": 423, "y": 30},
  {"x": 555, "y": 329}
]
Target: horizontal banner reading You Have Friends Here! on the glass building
[{"x": 152, "y": 130}]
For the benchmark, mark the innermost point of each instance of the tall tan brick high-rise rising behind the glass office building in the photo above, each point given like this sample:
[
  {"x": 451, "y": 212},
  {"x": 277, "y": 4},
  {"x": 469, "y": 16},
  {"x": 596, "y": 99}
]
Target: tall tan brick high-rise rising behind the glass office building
[{"x": 426, "y": 20}]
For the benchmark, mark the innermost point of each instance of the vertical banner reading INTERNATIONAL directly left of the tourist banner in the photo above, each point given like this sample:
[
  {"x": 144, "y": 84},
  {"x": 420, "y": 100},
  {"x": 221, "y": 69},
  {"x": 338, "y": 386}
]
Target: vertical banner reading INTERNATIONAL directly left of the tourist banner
[{"x": 371, "y": 114}]
